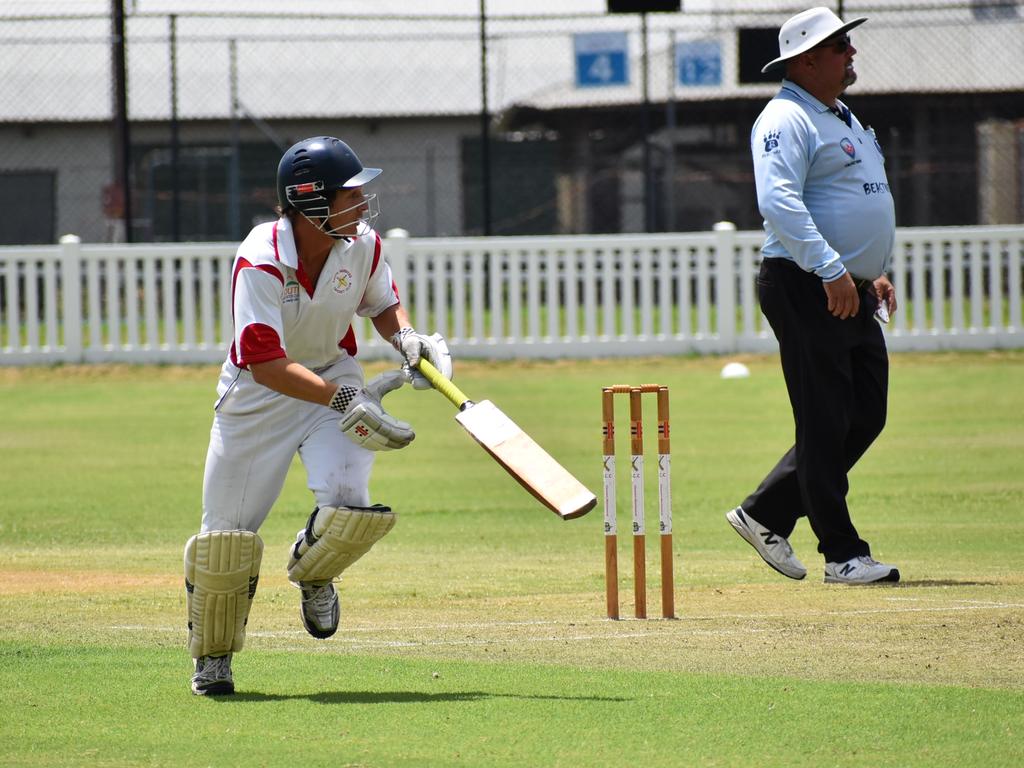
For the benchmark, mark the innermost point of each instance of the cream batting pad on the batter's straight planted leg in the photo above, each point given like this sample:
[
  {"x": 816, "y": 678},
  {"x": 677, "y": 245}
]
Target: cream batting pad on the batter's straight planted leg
[{"x": 222, "y": 574}]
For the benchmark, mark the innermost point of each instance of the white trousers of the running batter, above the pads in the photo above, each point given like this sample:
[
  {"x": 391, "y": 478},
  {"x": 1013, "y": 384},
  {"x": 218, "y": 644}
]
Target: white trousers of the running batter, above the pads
[{"x": 257, "y": 435}]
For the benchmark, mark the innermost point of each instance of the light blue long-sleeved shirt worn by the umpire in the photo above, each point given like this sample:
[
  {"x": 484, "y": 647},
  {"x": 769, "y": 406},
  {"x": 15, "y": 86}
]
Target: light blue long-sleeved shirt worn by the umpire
[{"x": 822, "y": 188}]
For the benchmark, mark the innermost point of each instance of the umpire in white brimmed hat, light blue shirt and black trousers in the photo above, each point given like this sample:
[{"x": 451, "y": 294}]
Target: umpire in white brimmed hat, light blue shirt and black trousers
[{"x": 830, "y": 227}]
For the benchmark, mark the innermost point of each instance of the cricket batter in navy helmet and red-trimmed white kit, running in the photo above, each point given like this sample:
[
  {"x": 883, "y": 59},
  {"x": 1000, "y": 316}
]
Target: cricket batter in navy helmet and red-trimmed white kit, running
[{"x": 291, "y": 386}]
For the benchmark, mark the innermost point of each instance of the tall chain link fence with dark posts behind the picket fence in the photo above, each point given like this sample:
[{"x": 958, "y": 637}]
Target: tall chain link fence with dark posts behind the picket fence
[{"x": 593, "y": 122}]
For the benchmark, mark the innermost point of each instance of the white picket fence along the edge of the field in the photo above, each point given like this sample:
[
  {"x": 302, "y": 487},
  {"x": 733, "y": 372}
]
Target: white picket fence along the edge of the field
[{"x": 502, "y": 297}]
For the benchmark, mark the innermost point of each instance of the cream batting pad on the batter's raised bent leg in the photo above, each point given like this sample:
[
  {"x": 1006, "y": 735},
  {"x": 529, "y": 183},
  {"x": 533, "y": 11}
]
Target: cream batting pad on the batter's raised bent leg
[{"x": 334, "y": 539}]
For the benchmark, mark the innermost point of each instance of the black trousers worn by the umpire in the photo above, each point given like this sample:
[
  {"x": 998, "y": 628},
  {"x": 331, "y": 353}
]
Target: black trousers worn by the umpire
[{"x": 837, "y": 373}]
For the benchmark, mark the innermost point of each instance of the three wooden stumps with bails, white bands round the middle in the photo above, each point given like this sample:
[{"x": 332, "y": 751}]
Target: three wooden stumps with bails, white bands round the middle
[{"x": 637, "y": 487}]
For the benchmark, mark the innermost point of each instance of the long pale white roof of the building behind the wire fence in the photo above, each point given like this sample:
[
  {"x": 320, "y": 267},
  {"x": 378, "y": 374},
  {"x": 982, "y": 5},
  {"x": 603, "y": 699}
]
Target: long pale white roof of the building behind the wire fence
[{"x": 379, "y": 61}]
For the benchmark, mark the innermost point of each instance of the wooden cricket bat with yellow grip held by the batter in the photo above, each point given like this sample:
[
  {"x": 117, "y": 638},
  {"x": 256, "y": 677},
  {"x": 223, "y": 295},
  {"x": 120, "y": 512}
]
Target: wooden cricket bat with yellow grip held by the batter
[{"x": 536, "y": 471}]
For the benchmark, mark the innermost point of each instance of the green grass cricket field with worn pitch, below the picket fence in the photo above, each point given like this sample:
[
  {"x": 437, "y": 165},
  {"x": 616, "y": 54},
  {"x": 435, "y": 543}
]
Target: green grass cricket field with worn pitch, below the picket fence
[{"x": 475, "y": 634}]
